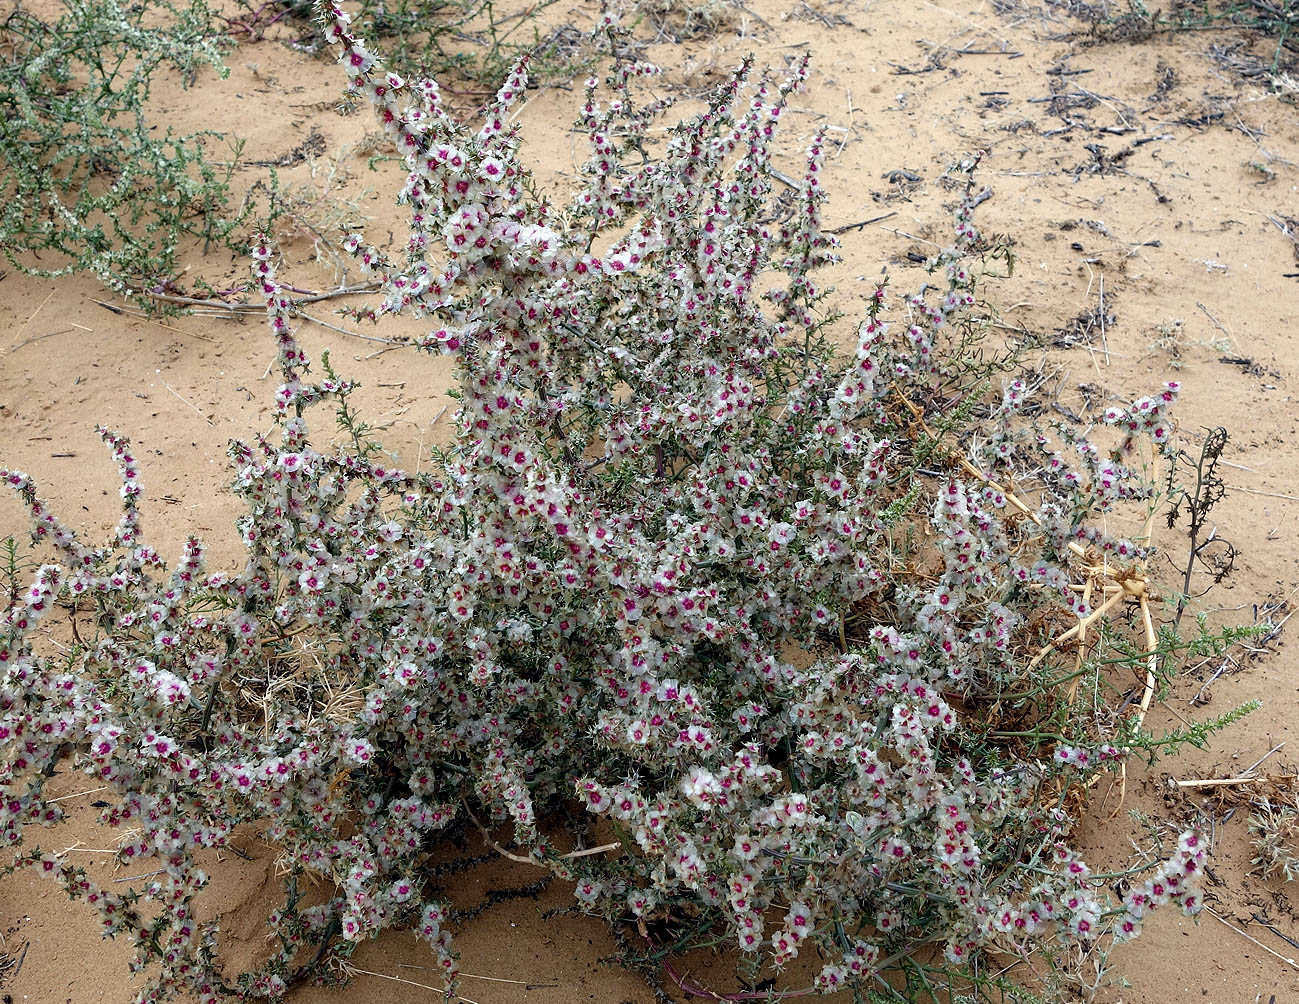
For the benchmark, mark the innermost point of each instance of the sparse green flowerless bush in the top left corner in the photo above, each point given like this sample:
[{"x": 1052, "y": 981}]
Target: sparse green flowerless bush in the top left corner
[{"x": 92, "y": 182}]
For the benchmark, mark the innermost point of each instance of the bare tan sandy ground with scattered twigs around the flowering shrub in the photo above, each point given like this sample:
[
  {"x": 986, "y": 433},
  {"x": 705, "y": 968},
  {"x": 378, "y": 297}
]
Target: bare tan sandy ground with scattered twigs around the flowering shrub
[{"x": 1145, "y": 182}]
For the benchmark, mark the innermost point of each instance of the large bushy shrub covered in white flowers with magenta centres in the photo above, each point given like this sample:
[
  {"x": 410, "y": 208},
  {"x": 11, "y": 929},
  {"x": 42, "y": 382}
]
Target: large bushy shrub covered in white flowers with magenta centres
[{"x": 768, "y": 615}]
